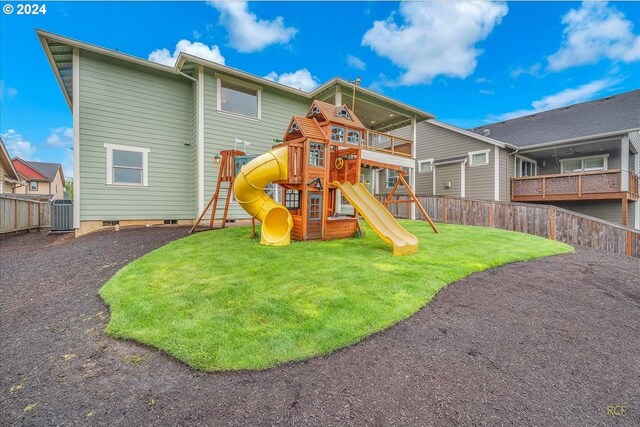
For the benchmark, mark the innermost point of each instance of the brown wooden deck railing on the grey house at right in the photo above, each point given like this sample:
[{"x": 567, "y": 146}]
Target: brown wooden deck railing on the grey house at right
[{"x": 574, "y": 186}]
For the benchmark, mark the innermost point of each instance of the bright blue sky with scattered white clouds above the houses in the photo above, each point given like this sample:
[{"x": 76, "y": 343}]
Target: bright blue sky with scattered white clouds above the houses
[{"x": 467, "y": 63}]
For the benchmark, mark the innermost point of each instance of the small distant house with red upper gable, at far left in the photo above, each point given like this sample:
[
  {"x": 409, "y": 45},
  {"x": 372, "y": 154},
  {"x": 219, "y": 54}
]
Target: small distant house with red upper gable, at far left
[{"x": 43, "y": 180}]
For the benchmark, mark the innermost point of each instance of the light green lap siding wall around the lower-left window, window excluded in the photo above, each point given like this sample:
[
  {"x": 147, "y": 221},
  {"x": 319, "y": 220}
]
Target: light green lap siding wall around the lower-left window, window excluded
[{"x": 128, "y": 105}]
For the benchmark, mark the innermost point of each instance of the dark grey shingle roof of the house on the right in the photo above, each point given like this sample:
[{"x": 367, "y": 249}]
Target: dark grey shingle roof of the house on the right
[{"x": 618, "y": 113}]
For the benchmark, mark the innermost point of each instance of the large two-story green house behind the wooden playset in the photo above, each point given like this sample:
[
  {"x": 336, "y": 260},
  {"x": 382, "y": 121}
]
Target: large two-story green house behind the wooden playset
[{"x": 146, "y": 136}]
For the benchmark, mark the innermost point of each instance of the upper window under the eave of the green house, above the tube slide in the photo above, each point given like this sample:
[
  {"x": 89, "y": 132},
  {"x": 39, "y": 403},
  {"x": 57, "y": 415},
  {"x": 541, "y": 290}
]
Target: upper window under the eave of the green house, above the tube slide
[{"x": 238, "y": 98}]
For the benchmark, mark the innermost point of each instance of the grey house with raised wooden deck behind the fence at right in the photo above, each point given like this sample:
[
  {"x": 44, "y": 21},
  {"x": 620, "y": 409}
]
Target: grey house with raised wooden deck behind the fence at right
[{"x": 583, "y": 157}]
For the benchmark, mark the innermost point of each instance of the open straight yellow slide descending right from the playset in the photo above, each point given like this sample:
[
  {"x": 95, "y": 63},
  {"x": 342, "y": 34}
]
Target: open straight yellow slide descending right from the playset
[{"x": 379, "y": 218}]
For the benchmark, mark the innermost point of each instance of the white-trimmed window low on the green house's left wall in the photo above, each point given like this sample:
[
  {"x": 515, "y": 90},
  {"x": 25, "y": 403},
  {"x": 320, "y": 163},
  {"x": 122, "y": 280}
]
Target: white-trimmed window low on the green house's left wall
[{"x": 127, "y": 165}]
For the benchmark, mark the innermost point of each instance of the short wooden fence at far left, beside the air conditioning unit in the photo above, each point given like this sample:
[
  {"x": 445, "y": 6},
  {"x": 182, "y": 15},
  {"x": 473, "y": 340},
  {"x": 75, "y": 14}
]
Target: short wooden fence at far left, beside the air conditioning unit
[{"x": 23, "y": 214}]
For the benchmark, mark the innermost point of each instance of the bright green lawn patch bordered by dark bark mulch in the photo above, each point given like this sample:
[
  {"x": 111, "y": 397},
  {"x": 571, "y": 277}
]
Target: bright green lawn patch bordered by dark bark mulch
[{"x": 218, "y": 300}]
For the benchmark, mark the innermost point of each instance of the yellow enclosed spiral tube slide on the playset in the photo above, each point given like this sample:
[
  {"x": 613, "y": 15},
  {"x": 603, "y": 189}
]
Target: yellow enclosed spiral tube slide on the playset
[{"x": 248, "y": 188}]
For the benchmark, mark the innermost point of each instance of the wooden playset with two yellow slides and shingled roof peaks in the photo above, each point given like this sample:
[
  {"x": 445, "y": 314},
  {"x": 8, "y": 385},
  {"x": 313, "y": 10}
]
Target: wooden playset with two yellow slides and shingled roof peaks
[{"x": 319, "y": 158}]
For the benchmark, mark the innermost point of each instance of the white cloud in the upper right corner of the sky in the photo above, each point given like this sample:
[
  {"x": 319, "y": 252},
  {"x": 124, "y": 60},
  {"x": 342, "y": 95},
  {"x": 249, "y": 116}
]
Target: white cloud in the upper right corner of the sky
[{"x": 592, "y": 32}]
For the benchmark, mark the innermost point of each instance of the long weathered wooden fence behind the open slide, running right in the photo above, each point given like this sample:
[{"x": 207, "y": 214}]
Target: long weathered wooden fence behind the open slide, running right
[{"x": 541, "y": 220}]
